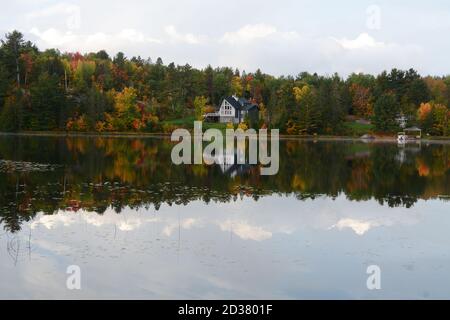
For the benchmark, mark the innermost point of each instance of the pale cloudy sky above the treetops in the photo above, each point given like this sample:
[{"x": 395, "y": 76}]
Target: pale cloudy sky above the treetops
[{"x": 283, "y": 37}]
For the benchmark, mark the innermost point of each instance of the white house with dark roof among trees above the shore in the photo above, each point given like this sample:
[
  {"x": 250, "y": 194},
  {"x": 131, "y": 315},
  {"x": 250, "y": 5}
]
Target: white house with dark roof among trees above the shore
[{"x": 234, "y": 110}]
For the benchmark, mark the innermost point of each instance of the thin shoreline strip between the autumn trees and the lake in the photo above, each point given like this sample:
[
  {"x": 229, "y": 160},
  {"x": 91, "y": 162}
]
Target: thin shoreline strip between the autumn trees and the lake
[{"x": 385, "y": 139}]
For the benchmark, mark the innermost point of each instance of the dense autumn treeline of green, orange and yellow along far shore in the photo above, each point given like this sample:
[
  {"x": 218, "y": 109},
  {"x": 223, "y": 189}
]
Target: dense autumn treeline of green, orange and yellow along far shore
[{"x": 49, "y": 90}]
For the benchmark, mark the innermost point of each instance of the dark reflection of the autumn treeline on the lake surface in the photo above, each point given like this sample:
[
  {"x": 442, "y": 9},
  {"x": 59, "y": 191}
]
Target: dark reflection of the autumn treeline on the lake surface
[{"x": 47, "y": 174}]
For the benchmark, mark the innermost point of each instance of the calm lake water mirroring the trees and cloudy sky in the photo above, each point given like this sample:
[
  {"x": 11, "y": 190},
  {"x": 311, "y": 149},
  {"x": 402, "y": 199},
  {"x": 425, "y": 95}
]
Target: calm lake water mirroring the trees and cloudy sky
[{"x": 140, "y": 227}]
